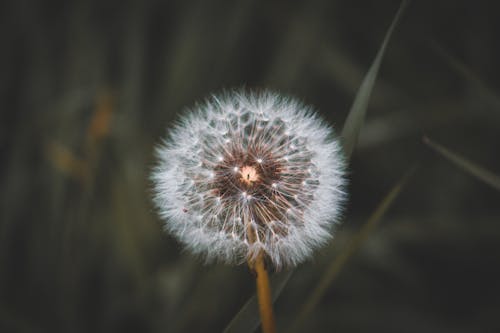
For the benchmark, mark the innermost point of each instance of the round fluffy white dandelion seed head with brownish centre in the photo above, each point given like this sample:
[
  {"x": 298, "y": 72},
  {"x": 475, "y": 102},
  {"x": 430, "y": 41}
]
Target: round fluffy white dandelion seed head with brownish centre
[{"x": 249, "y": 172}]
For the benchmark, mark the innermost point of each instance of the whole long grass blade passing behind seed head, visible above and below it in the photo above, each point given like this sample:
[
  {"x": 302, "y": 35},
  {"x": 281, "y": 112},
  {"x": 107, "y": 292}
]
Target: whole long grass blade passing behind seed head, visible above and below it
[{"x": 247, "y": 319}]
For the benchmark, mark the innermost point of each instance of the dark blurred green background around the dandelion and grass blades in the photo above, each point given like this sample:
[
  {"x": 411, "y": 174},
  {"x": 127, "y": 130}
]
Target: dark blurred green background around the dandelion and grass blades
[{"x": 87, "y": 88}]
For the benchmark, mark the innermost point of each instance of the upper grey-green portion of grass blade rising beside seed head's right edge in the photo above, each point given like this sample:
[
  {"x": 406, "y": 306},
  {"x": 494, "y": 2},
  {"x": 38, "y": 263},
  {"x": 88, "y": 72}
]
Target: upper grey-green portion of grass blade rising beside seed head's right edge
[{"x": 356, "y": 116}]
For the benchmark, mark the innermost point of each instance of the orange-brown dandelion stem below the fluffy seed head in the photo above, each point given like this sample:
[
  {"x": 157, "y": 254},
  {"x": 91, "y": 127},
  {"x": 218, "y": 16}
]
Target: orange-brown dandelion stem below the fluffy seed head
[{"x": 264, "y": 295}]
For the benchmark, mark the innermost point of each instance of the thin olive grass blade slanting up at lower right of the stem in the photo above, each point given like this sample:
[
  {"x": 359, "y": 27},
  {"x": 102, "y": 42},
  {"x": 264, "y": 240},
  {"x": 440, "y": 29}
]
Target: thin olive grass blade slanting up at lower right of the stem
[{"x": 354, "y": 244}]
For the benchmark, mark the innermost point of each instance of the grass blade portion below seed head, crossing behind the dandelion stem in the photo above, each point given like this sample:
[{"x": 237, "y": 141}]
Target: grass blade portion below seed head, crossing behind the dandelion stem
[{"x": 247, "y": 319}]
